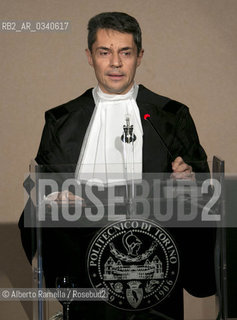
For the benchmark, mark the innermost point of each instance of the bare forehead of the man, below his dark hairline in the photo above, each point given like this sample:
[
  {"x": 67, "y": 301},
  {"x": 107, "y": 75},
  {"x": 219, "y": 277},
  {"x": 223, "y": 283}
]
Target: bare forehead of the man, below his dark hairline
[{"x": 113, "y": 38}]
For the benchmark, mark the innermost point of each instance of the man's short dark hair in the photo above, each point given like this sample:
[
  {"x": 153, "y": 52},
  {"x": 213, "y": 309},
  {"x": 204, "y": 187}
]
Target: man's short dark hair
[{"x": 117, "y": 21}]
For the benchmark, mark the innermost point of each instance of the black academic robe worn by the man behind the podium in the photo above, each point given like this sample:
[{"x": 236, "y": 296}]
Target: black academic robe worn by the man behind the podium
[{"x": 64, "y": 250}]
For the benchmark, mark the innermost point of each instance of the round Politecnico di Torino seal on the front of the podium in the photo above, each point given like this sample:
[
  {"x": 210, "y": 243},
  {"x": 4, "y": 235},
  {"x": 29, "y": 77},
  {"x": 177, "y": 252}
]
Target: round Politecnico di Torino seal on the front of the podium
[{"x": 136, "y": 261}]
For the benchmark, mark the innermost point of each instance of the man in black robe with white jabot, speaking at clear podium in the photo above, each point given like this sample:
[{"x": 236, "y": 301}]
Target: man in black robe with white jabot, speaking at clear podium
[{"x": 119, "y": 121}]
